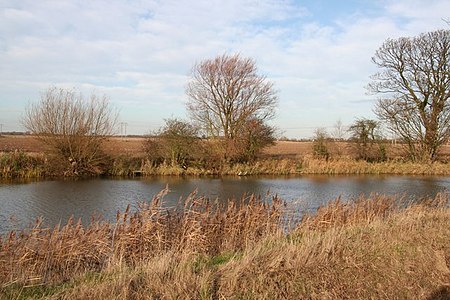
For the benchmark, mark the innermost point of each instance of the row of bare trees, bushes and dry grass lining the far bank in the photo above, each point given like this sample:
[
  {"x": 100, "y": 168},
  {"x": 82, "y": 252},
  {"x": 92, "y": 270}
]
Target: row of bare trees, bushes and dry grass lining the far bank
[{"x": 230, "y": 104}]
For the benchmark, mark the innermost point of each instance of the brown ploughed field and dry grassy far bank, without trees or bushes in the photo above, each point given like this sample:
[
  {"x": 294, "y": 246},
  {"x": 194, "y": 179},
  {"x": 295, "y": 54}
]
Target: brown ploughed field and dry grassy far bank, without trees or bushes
[{"x": 23, "y": 156}]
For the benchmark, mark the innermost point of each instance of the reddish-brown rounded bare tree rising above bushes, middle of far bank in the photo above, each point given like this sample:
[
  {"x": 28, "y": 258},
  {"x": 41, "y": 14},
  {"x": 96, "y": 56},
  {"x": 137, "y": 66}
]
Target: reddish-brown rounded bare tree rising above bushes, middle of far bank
[{"x": 226, "y": 92}]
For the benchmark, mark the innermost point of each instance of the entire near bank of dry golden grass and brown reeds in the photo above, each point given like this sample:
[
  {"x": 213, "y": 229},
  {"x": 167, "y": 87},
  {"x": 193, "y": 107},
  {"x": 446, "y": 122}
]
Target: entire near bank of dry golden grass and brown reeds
[{"x": 374, "y": 248}]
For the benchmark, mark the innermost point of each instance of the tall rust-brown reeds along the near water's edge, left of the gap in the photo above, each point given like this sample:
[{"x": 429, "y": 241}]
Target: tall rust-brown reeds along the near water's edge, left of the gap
[{"x": 48, "y": 255}]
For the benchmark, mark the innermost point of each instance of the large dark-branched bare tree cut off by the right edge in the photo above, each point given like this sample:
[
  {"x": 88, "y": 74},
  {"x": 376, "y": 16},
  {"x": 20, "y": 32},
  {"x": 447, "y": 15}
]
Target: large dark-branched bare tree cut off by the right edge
[{"x": 415, "y": 84}]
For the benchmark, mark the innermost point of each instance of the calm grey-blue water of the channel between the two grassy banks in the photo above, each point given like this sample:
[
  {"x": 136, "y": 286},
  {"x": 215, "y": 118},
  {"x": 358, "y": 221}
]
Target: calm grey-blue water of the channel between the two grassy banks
[{"x": 56, "y": 201}]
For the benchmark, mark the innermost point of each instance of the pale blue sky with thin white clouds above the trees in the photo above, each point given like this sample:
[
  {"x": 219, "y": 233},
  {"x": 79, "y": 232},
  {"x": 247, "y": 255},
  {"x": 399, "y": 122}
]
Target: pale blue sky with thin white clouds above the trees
[{"x": 140, "y": 53}]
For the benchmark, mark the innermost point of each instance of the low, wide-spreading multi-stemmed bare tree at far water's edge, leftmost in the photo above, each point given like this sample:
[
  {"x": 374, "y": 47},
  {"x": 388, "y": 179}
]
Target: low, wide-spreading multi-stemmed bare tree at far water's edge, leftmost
[{"x": 73, "y": 127}]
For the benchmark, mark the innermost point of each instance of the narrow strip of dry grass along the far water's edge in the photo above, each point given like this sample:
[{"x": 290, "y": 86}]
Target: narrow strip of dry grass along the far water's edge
[{"x": 23, "y": 165}]
